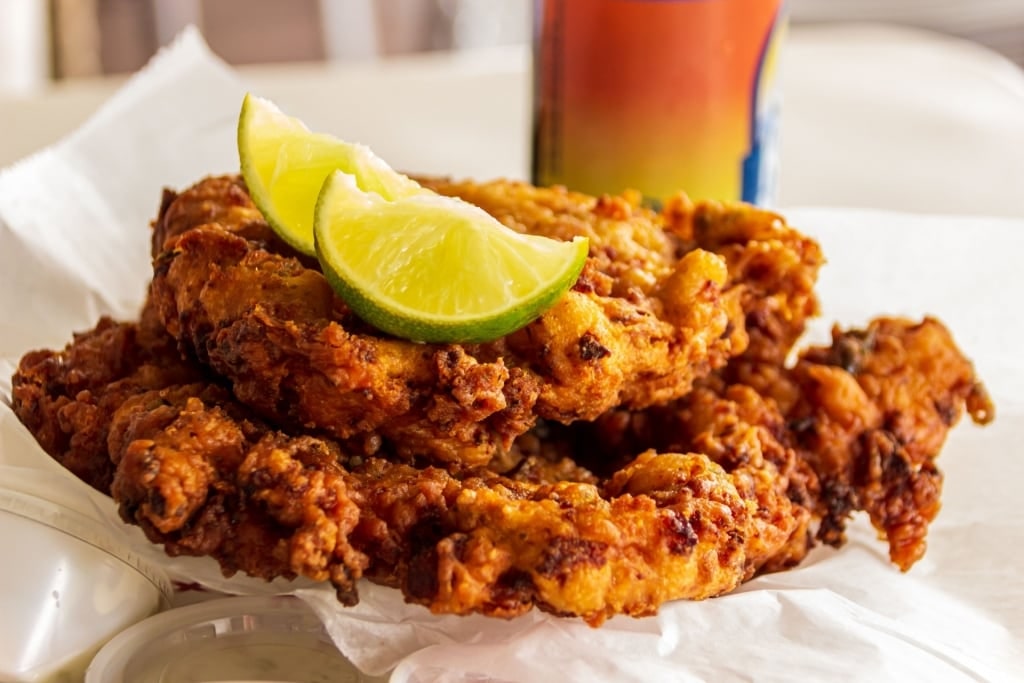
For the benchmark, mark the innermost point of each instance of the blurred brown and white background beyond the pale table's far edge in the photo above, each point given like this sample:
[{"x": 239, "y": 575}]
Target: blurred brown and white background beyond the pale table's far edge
[{"x": 44, "y": 41}]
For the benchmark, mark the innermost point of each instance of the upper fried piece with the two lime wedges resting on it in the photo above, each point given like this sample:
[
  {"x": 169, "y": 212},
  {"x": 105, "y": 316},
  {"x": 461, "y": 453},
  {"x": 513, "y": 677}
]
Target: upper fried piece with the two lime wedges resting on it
[{"x": 632, "y": 332}]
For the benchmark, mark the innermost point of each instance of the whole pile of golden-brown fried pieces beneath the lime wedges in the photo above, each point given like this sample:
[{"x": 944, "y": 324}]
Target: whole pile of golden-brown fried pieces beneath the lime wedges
[{"x": 644, "y": 441}]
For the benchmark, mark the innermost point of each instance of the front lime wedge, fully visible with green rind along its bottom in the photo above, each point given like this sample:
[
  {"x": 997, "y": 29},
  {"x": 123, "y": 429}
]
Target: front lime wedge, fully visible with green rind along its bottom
[{"x": 436, "y": 269}]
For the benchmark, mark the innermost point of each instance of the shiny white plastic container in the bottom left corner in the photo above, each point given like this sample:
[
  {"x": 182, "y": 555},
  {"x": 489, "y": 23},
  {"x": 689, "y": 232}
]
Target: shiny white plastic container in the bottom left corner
[{"x": 69, "y": 585}]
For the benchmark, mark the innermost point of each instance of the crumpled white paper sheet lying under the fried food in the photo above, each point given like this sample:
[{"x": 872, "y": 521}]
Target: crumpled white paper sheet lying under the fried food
[{"x": 74, "y": 245}]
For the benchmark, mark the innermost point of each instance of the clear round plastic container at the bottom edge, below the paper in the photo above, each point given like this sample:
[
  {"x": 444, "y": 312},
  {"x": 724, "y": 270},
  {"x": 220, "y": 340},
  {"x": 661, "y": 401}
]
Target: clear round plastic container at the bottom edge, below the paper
[{"x": 229, "y": 641}]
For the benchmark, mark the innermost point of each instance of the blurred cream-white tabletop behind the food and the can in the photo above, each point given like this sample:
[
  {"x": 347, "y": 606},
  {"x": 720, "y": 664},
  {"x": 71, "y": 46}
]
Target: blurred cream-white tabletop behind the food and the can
[{"x": 874, "y": 117}]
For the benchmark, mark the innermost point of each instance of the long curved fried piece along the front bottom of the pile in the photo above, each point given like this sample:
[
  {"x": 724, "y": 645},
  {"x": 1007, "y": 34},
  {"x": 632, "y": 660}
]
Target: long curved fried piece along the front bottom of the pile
[{"x": 202, "y": 476}]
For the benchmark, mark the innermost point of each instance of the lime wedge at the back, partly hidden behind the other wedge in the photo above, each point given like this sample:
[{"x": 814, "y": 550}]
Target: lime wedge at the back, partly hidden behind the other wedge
[{"x": 284, "y": 165}]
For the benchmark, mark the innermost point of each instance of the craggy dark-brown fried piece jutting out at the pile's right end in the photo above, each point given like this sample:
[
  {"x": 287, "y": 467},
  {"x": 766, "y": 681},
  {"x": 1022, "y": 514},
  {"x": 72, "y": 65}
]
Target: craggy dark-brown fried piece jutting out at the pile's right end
[{"x": 863, "y": 424}]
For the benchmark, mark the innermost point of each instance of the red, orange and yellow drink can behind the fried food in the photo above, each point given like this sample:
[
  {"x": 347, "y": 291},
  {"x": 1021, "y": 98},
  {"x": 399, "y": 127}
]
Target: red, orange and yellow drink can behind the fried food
[{"x": 658, "y": 96}]
